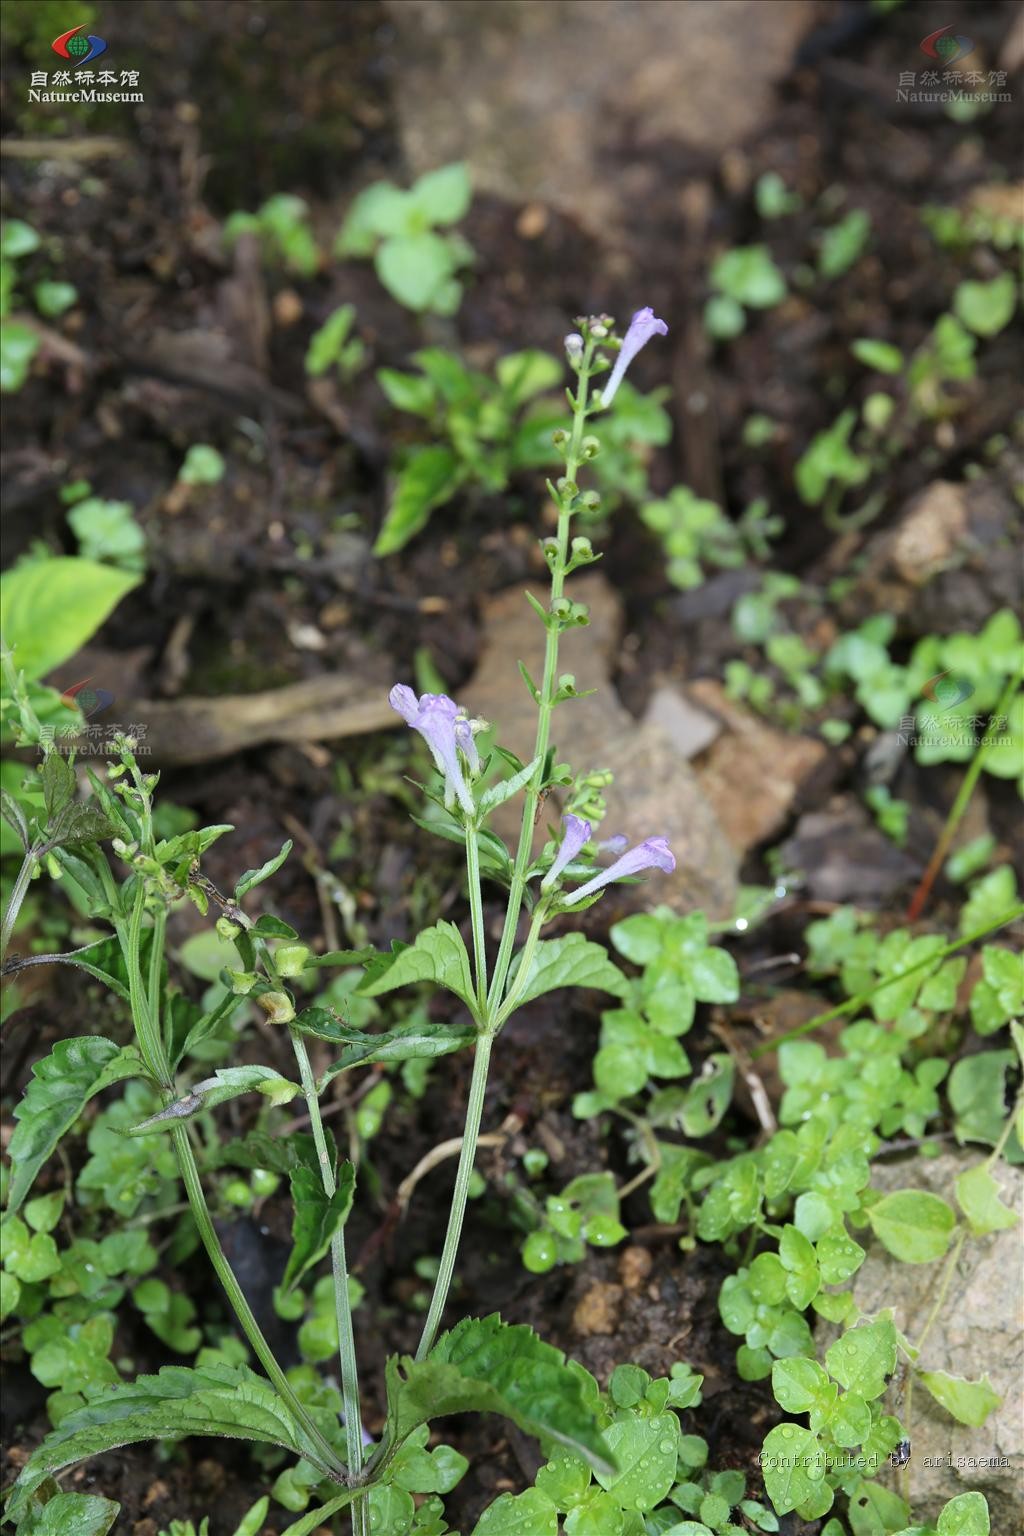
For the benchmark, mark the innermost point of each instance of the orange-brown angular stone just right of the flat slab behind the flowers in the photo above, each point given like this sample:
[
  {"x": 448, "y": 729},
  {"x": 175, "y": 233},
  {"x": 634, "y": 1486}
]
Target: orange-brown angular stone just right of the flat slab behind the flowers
[{"x": 751, "y": 775}]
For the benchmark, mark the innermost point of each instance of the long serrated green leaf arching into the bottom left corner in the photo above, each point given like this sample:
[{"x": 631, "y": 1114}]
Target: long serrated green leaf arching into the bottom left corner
[{"x": 177, "y": 1402}]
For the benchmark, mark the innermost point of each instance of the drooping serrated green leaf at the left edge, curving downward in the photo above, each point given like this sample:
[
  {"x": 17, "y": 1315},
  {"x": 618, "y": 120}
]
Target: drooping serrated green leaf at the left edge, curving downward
[{"x": 62, "y": 1085}]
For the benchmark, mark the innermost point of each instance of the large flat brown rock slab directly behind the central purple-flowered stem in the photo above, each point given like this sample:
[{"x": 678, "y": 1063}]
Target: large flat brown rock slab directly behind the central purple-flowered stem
[{"x": 655, "y": 790}]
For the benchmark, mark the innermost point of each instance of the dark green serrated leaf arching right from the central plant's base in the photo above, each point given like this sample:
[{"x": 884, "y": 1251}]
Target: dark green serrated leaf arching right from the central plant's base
[{"x": 489, "y": 1366}]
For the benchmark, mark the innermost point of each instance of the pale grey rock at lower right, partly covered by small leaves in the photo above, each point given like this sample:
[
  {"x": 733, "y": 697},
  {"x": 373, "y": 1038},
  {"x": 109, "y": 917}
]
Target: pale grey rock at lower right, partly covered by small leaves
[{"x": 977, "y": 1332}]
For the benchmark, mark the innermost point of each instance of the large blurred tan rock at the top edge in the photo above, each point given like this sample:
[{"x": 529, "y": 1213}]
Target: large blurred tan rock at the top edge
[{"x": 538, "y": 98}]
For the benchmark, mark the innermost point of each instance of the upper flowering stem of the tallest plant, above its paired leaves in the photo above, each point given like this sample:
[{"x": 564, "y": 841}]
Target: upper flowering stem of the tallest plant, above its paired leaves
[{"x": 546, "y": 704}]
